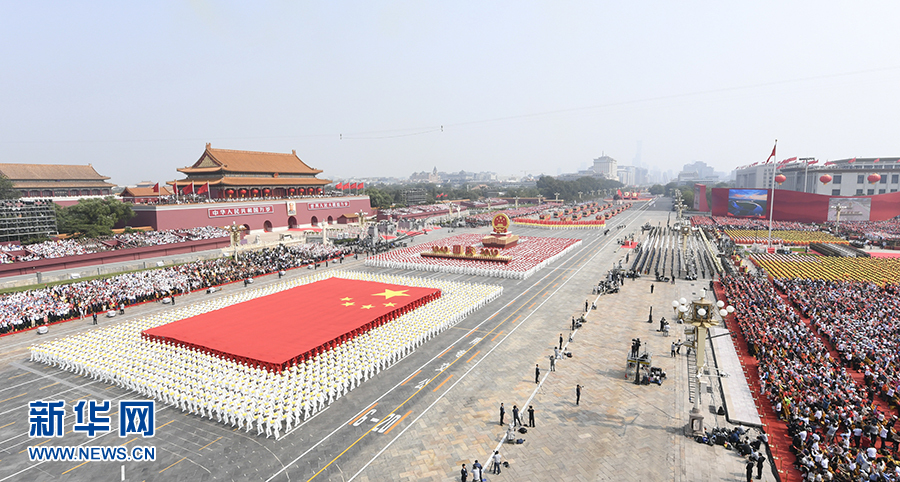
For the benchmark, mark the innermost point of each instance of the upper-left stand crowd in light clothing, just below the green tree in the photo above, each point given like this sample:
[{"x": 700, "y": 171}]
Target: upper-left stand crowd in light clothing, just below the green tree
[{"x": 14, "y": 252}]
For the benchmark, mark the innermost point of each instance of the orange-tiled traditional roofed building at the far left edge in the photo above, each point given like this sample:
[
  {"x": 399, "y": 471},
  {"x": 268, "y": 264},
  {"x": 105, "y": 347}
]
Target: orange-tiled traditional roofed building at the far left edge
[{"x": 56, "y": 180}]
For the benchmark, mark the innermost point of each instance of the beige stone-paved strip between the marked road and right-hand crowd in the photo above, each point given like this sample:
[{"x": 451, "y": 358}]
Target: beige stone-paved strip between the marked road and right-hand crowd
[{"x": 620, "y": 431}]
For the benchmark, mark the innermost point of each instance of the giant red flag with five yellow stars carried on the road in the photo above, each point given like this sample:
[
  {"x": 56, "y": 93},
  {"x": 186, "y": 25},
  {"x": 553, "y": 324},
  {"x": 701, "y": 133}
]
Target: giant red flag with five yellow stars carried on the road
[{"x": 281, "y": 329}]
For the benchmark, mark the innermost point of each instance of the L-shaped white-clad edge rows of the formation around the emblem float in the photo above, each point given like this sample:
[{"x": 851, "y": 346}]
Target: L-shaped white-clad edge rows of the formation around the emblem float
[{"x": 512, "y": 270}]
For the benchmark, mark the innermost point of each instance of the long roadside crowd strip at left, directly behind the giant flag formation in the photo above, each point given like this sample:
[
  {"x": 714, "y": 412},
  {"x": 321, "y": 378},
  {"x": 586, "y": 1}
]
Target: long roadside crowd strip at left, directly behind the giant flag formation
[{"x": 61, "y": 302}]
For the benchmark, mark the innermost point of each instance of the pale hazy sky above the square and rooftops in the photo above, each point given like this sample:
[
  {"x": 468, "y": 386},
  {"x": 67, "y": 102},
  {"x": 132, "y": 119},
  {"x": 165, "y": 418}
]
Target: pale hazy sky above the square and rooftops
[{"x": 138, "y": 88}]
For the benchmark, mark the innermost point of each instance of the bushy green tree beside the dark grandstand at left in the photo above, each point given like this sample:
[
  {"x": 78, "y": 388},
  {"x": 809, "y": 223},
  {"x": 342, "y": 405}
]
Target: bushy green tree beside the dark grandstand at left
[{"x": 92, "y": 218}]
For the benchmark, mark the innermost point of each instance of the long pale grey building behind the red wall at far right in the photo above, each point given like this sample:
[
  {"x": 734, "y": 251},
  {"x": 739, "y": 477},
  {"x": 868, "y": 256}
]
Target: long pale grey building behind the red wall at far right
[{"x": 849, "y": 177}]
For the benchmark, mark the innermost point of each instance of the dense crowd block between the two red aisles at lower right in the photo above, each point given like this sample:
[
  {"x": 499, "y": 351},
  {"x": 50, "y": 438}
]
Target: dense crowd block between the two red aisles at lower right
[{"x": 834, "y": 424}]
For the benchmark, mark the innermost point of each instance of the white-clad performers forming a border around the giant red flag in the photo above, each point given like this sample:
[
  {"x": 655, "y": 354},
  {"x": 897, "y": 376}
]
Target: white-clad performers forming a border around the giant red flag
[{"x": 244, "y": 396}]
